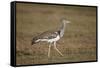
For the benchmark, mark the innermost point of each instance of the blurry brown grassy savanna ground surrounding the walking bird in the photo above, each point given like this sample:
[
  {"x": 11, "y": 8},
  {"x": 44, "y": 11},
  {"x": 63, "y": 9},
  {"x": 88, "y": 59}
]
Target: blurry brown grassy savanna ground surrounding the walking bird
[{"x": 77, "y": 44}]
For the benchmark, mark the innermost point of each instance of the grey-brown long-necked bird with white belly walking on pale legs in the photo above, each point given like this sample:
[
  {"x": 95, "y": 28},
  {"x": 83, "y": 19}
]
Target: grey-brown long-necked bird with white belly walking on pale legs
[{"x": 51, "y": 37}]
